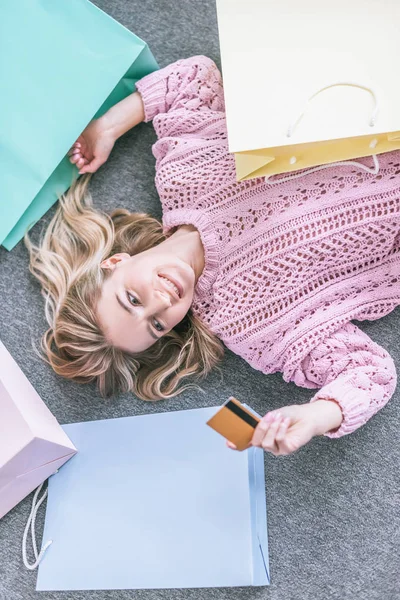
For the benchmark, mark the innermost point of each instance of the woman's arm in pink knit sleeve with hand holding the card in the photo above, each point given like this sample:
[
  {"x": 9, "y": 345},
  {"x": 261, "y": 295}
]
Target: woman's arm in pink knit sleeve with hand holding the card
[{"x": 357, "y": 378}]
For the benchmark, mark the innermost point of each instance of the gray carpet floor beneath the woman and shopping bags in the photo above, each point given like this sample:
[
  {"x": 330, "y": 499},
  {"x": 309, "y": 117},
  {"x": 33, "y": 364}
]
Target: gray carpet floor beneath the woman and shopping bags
[{"x": 333, "y": 507}]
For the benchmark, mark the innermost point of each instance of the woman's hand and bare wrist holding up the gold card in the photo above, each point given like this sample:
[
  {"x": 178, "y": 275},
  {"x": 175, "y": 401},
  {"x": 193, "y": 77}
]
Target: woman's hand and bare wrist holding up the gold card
[{"x": 285, "y": 430}]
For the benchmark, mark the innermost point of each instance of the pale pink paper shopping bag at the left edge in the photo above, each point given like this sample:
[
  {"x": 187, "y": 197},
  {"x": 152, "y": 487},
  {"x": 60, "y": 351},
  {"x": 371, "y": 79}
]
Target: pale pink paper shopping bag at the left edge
[{"x": 32, "y": 443}]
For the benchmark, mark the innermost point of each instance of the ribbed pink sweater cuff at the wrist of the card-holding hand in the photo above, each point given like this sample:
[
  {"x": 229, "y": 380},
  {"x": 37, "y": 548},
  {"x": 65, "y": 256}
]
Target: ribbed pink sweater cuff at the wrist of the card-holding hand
[{"x": 353, "y": 402}]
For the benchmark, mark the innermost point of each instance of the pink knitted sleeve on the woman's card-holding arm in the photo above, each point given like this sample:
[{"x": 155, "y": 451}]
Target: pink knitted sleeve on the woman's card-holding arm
[{"x": 354, "y": 371}]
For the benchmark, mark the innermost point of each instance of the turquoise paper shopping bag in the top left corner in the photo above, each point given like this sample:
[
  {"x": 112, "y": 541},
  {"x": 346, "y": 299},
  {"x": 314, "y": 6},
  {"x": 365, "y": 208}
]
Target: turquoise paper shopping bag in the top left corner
[{"x": 62, "y": 63}]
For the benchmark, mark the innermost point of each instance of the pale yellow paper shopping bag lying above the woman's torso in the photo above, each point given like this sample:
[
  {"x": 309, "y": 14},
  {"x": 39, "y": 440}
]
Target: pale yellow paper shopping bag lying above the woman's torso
[{"x": 308, "y": 83}]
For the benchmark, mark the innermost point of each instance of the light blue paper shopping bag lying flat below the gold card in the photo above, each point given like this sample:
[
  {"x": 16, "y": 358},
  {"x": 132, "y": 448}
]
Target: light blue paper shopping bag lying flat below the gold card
[{"x": 155, "y": 501}]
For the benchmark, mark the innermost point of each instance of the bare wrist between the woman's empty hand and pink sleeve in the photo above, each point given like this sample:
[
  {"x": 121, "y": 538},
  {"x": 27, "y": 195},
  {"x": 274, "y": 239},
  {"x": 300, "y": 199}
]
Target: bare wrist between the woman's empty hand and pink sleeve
[{"x": 123, "y": 116}]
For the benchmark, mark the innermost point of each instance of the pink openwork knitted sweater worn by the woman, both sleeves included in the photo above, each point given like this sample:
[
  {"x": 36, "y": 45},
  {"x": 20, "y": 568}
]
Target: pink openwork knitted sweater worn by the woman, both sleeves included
[{"x": 288, "y": 266}]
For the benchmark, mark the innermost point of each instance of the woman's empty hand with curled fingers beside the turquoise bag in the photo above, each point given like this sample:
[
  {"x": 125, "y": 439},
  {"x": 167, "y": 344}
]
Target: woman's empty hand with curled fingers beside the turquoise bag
[{"x": 93, "y": 147}]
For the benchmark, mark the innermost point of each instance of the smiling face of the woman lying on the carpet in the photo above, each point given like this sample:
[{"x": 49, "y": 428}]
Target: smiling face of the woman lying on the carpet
[{"x": 145, "y": 296}]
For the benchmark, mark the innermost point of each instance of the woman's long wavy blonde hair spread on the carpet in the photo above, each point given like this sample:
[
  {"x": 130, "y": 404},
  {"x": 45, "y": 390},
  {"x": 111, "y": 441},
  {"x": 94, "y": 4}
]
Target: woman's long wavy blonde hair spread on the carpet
[{"x": 67, "y": 263}]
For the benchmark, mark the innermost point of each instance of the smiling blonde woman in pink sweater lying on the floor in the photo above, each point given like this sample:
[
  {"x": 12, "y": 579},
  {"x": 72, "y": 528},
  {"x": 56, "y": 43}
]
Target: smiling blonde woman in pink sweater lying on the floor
[{"x": 274, "y": 271}]
